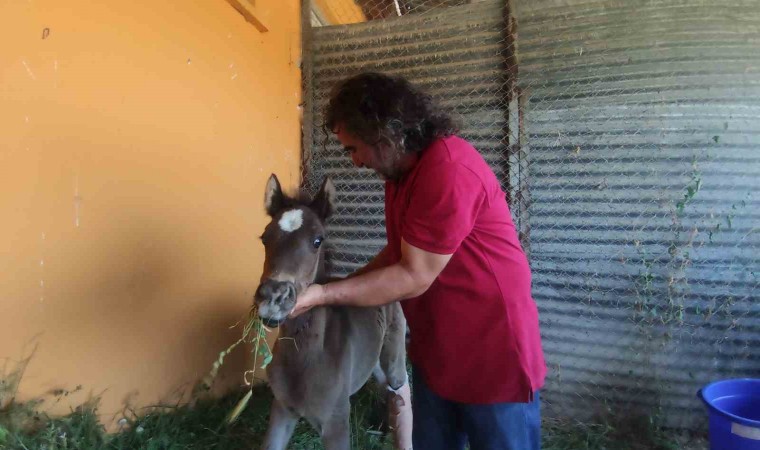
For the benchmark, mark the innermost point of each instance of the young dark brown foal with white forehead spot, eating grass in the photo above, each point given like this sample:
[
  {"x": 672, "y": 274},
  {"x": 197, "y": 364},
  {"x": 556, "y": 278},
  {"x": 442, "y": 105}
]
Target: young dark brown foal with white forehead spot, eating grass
[{"x": 325, "y": 355}]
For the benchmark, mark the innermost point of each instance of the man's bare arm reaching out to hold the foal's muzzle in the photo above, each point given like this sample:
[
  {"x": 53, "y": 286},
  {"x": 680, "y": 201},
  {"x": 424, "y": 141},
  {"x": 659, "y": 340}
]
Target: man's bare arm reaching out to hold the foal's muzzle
[{"x": 408, "y": 278}]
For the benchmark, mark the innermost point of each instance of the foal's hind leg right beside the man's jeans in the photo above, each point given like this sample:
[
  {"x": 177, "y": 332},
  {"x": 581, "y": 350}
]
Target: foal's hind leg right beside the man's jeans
[{"x": 393, "y": 365}]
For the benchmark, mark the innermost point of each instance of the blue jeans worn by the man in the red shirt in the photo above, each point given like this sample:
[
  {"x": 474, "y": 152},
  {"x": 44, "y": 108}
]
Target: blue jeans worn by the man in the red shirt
[{"x": 445, "y": 425}]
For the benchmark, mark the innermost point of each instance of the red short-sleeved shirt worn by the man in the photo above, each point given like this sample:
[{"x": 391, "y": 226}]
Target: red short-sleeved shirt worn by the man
[{"x": 474, "y": 332}]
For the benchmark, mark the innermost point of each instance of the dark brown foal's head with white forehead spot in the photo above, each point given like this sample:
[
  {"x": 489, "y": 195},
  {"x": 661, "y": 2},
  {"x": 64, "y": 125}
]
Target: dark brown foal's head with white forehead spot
[{"x": 293, "y": 248}]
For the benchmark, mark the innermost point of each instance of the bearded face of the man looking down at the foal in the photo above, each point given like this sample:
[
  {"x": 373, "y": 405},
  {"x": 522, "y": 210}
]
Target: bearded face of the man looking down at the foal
[{"x": 385, "y": 161}]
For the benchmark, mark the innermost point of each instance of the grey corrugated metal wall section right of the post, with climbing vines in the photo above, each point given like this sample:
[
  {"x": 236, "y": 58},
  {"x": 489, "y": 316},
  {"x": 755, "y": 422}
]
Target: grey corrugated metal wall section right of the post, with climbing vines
[{"x": 643, "y": 130}]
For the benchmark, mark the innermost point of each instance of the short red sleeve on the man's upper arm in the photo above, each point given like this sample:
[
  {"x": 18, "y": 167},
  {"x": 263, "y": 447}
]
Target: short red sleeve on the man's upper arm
[{"x": 443, "y": 206}]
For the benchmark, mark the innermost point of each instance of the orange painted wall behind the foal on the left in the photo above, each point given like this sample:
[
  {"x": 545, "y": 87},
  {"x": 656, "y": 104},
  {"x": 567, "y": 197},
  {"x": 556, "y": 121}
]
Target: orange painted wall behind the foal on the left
[{"x": 136, "y": 139}]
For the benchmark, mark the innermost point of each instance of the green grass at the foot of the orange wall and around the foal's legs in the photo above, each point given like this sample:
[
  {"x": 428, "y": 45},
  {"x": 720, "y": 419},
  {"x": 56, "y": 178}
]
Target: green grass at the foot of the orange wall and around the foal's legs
[{"x": 201, "y": 426}]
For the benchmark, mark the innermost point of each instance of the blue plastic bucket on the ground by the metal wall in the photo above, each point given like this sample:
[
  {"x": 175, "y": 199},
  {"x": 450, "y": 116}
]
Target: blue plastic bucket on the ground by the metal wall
[{"x": 734, "y": 408}]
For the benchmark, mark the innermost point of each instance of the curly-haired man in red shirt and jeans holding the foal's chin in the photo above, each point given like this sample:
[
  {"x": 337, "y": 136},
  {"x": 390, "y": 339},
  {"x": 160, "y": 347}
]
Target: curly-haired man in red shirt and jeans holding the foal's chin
[{"x": 454, "y": 260}]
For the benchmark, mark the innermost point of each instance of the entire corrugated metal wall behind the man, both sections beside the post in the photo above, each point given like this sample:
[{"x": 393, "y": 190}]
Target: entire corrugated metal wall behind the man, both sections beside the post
[{"x": 631, "y": 151}]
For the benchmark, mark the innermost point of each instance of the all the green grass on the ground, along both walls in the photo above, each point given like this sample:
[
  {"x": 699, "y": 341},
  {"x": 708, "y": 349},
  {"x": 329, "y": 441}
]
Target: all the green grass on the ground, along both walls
[{"x": 201, "y": 426}]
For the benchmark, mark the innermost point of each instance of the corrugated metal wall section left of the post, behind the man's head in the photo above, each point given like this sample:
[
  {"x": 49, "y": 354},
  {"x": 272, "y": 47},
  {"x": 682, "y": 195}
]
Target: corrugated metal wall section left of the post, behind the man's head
[{"x": 456, "y": 54}]
